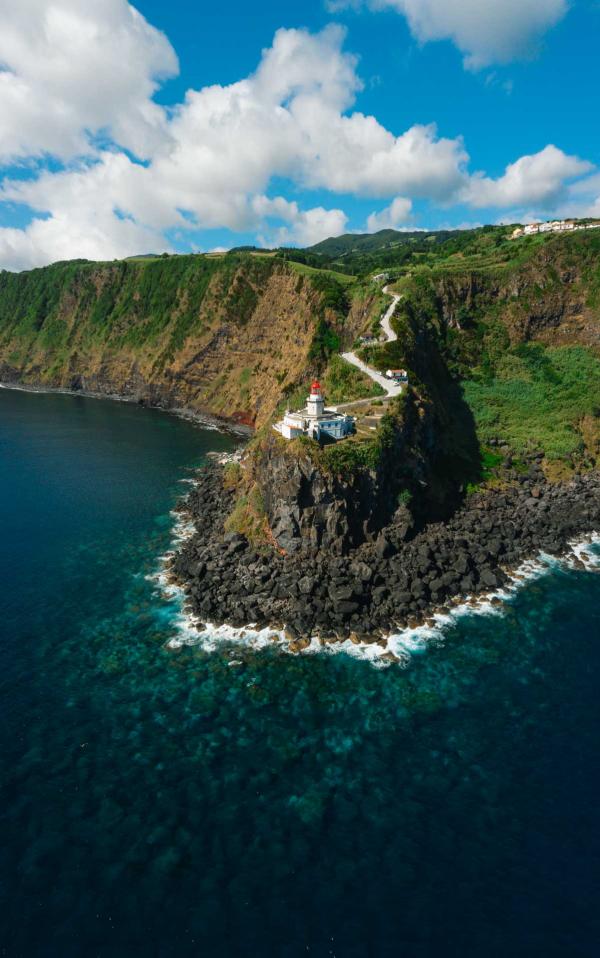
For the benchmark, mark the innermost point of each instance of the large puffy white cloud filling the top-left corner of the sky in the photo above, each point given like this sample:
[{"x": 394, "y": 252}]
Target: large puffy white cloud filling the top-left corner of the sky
[{"x": 70, "y": 69}]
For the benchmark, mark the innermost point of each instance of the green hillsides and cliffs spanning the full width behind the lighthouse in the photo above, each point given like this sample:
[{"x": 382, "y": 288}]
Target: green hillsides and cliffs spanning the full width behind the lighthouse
[{"x": 501, "y": 338}]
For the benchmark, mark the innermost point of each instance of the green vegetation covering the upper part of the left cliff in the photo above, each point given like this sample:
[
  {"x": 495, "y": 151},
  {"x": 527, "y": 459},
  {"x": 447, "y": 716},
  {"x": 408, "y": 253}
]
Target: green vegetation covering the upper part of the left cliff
[{"x": 129, "y": 303}]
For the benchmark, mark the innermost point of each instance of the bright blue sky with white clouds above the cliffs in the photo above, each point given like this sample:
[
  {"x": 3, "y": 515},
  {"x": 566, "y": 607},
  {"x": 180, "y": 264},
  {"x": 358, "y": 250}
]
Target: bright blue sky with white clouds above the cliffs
[{"x": 169, "y": 126}]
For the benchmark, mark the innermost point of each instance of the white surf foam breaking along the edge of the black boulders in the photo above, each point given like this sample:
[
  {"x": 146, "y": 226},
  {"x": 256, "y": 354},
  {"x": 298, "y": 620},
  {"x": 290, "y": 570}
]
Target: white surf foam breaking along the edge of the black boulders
[{"x": 398, "y": 647}]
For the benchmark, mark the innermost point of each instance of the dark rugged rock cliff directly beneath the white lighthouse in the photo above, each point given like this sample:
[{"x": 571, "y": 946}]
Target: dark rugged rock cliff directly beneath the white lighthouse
[{"x": 310, "y": 505}]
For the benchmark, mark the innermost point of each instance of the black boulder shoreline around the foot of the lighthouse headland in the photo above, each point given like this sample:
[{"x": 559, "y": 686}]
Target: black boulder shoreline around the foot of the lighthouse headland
[{"x": 382, "y": 586}]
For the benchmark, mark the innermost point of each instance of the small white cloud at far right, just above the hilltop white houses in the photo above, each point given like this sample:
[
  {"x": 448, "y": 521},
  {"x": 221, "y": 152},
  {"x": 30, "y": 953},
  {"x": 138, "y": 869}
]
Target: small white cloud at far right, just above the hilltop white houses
[{"x": 533, "y": 180}]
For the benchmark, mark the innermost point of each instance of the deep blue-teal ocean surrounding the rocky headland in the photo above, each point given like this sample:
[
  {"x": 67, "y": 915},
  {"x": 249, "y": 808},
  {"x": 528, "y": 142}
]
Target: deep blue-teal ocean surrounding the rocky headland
[{"x": 159, "y": 802}]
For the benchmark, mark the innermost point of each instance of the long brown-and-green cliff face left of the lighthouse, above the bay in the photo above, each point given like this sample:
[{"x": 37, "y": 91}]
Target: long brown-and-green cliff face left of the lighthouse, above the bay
[{"x": 220, "y": 335}]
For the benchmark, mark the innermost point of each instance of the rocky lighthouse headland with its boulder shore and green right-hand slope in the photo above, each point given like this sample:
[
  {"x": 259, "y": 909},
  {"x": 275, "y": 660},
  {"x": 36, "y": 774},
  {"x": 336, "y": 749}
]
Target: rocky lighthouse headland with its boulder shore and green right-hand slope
[{"x": 452, "y": 491}]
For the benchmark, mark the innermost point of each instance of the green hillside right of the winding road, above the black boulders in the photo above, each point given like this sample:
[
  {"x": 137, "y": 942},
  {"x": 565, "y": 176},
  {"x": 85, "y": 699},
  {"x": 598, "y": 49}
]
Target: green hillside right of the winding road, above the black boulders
[{"x": 518, "y": 327}]
